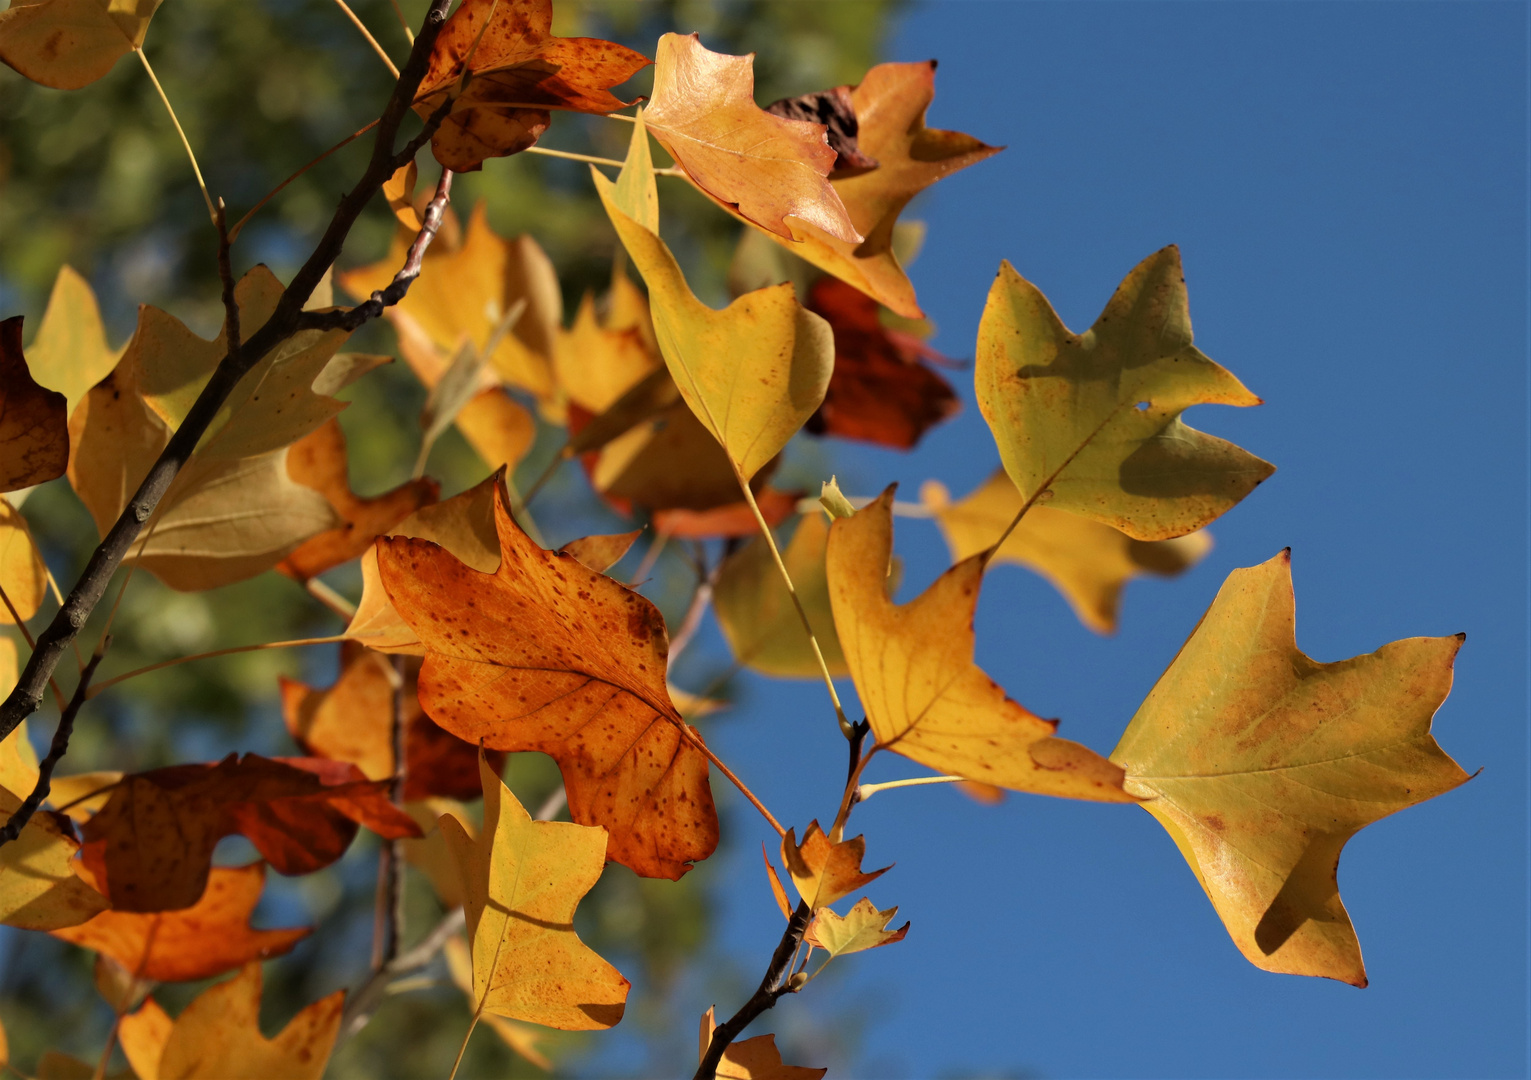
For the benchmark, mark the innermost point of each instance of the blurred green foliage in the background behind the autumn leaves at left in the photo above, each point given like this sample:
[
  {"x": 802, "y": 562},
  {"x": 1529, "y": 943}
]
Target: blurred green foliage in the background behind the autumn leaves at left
[{"x": 97, "y": 178}]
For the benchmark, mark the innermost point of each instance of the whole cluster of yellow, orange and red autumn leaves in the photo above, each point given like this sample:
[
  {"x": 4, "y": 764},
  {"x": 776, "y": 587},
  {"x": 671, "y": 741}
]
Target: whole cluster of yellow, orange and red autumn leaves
[{"x": 474, "y": 641}]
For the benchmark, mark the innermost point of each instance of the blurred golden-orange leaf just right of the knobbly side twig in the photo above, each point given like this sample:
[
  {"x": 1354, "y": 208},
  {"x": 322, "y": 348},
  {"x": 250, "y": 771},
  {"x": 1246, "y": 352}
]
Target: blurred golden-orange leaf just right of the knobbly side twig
[{"x": 465, "y": 292}]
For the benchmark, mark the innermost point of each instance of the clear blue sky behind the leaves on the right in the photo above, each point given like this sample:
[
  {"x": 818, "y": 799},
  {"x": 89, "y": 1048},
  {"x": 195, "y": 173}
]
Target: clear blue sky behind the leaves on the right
[{"x": 1348, "y": 183}]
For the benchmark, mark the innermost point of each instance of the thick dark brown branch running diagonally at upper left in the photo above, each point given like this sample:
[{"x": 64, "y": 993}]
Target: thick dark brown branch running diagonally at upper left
[{"x": 83, "y": 598}]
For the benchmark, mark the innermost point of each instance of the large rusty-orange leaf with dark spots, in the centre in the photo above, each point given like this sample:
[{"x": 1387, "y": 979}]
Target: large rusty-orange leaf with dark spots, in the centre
[{"x": 547, "y": 655}]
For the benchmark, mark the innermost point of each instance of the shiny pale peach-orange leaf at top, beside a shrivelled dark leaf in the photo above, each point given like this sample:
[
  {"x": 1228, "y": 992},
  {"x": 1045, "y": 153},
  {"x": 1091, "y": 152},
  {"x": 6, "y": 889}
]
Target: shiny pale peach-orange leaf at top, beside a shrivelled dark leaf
[{"x": 763, "y": 166}]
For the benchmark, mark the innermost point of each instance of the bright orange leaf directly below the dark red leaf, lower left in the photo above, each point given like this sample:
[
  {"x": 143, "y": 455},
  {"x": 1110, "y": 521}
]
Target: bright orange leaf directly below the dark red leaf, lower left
[{"x": 206, "y": 940}]
